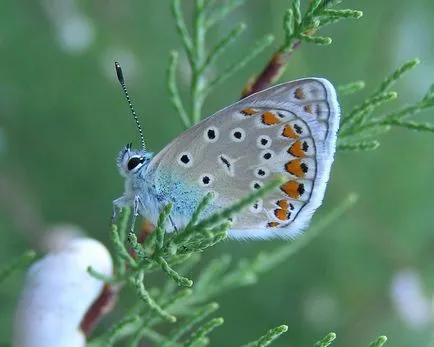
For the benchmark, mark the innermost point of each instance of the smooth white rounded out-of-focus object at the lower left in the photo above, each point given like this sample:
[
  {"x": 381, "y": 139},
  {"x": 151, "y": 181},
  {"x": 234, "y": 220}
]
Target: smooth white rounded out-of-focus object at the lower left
[{"x": 57, "y": 293}]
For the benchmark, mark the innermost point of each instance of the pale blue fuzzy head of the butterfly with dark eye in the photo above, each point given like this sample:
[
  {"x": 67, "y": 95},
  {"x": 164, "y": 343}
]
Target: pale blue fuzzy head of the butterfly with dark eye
[{"x": 131, "y": 162}]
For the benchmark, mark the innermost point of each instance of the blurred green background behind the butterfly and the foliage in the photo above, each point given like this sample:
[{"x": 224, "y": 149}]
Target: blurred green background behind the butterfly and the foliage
[{"x": 63, "y": 120}]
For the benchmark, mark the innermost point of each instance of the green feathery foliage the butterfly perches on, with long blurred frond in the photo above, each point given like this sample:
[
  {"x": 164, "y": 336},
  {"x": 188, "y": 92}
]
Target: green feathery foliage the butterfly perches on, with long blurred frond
[{"x": 189, "y": 308}]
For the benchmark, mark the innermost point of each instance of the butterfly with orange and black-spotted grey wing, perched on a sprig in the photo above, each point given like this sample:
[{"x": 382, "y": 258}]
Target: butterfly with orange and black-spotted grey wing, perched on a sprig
[{"x": 287, "y": 130}]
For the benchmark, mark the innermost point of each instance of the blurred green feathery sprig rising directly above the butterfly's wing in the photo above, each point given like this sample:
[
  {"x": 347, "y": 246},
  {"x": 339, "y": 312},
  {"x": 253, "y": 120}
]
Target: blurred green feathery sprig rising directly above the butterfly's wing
[{"x": 199, "y": 60}]
